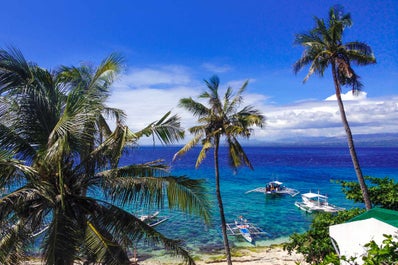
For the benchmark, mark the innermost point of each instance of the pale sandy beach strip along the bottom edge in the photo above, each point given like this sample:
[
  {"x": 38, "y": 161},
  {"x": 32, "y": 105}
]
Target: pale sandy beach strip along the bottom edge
[{"x": 269, "y": 255}]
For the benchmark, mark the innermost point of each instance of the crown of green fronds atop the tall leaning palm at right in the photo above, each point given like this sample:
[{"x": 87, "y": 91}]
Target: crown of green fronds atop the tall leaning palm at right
[{"x": 324, "y": 47}]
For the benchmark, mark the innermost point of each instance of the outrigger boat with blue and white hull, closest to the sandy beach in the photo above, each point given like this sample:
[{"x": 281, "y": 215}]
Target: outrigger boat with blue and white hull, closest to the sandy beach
[{"x": 245, "y": 229}]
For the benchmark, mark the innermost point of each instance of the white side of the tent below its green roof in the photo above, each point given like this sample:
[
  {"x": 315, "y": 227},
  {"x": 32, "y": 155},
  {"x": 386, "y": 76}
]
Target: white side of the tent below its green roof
[{"x": 351, "y": 237}]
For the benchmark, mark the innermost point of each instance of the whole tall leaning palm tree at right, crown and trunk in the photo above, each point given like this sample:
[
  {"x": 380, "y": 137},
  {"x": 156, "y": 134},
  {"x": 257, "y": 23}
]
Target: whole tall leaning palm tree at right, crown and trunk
[{"x": 324, "y": 47}]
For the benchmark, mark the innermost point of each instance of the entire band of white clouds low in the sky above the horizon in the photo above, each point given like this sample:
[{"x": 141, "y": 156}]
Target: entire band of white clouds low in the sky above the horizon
[{"x": 139, "y": 95}]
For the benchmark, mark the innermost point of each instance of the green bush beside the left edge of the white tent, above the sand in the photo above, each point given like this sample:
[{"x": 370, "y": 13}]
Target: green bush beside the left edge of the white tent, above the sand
[{"x": 315, "y": 244}]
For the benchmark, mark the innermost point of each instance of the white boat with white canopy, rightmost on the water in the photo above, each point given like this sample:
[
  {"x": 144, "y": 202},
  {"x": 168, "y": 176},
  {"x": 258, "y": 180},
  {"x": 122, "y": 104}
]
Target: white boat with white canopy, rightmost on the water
[{"x": 313, "y": 202}]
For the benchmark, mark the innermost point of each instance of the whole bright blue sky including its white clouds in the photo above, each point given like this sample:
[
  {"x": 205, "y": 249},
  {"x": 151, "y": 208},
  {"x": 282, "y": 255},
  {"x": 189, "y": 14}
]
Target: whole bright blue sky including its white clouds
[{"x": 171, "y": 46}]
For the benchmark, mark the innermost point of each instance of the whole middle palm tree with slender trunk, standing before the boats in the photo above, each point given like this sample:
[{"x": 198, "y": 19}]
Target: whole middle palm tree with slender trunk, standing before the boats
[{"x": 221, "y": 118}]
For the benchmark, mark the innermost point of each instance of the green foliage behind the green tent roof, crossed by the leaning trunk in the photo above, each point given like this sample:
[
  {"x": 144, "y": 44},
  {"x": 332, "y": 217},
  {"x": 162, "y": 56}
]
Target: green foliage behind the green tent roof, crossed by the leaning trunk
[{"x": 383, "y": 192}]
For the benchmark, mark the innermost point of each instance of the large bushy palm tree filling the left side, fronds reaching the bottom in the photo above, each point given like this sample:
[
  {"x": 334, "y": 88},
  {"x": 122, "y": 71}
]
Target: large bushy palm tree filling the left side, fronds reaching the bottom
[{"x": 59, "y": 160}]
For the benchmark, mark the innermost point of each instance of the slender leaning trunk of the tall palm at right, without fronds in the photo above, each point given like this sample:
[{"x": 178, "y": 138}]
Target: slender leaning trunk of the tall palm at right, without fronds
[{"x": 350, "y": 140}]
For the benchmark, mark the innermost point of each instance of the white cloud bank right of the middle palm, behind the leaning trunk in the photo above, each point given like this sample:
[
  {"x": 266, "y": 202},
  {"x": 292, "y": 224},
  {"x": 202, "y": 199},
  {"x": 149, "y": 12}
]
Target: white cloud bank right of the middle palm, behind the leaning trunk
[{"x": 322, "y": 118}]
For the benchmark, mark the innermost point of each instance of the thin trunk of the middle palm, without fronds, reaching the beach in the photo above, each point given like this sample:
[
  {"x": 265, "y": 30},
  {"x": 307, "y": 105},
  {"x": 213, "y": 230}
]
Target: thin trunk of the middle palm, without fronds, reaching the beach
[{"x": 219, "y": 199}]
